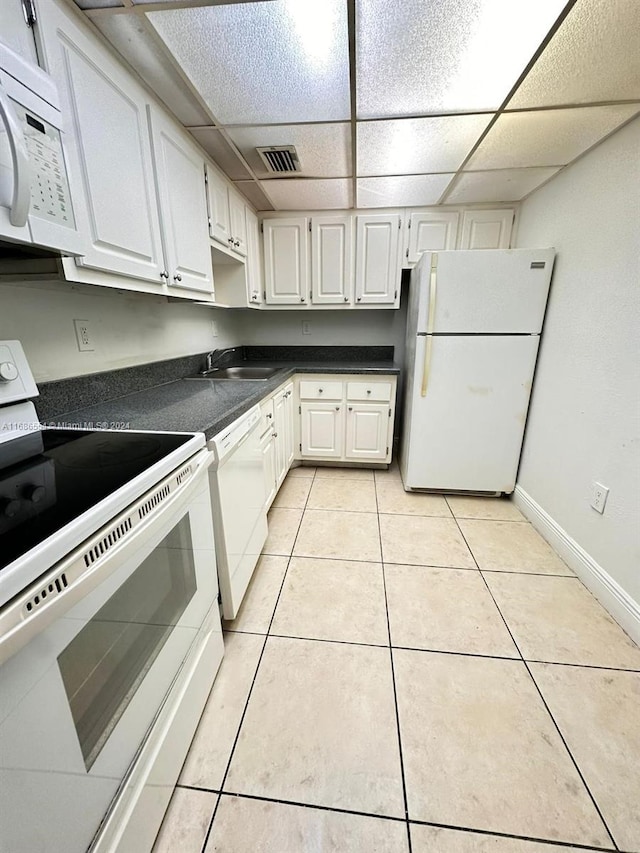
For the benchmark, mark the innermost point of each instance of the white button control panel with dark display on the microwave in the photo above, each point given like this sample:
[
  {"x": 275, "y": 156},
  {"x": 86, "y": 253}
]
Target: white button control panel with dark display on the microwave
[{"x": 50, "y": 196}]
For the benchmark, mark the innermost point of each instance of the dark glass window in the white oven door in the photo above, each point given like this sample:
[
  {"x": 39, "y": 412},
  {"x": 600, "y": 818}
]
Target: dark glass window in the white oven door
[{"x": 103, "y": 666}]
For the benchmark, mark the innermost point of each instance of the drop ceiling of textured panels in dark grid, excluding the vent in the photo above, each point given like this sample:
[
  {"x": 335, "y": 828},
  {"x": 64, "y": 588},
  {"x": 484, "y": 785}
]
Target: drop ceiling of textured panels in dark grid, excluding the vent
[{"x": 387, "y": 104}]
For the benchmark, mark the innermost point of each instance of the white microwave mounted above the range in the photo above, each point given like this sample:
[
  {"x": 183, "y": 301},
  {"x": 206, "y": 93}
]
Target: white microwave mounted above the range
[{"x": 35, "y": 201}]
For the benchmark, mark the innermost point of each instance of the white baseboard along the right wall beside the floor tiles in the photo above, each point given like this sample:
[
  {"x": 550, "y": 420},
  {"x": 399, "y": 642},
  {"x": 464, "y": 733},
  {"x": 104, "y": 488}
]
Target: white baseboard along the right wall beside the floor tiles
[{"x": 624, "y": 609}]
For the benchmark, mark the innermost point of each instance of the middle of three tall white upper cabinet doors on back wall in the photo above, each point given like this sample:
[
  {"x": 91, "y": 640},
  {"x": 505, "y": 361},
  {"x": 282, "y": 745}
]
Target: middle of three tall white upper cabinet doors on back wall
[{"x": 331, "y": 267}]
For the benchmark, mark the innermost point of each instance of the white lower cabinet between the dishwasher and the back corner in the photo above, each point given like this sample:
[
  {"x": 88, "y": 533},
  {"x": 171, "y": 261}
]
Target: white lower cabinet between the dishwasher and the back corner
[{"x": 276, "y": 440}]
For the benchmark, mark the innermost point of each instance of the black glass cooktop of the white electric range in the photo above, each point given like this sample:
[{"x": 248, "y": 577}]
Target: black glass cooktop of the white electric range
[{"x": 50, "y": 477}]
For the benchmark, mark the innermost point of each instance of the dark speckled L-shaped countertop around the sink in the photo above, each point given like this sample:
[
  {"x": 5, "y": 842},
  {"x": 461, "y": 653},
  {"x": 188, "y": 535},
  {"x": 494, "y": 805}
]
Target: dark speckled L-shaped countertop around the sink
[{"x": 203, "y": 405}]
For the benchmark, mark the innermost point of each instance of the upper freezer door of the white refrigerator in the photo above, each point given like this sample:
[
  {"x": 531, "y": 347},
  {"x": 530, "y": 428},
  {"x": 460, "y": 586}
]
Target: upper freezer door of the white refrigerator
[{"x": 484, "y": 292}]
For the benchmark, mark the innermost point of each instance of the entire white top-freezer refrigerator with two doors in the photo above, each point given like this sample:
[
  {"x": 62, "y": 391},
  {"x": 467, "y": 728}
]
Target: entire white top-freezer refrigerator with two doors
[{"x": 473, "y": 329}]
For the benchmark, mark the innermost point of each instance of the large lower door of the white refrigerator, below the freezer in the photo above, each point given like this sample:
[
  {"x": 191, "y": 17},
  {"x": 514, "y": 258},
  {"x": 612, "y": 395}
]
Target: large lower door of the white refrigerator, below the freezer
[{"x": 466, "y": 433}]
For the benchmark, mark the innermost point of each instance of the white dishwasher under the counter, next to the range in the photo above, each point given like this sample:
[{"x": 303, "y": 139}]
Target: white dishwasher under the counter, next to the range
[{"x": 238, "y": 503}]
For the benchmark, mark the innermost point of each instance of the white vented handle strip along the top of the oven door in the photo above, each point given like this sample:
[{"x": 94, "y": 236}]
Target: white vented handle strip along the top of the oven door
[{"x": 98, "y": 557}]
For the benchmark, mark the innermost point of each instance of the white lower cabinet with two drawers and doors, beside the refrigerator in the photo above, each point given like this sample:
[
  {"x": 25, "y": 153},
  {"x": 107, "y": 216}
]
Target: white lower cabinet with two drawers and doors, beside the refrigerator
[{"x": 347, "y": 419}]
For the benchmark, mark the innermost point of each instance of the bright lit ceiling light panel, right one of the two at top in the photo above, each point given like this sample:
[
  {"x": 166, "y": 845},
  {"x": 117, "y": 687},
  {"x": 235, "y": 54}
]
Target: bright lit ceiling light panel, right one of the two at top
[{"x": 415, "y": 57}]
